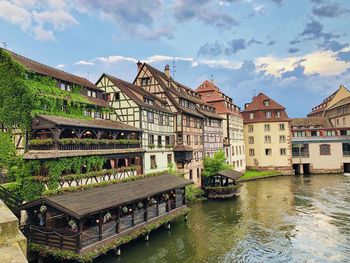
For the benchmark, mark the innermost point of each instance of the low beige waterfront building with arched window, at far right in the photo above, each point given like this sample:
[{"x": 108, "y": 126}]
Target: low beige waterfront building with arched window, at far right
[{"x": 319, "y": 147}]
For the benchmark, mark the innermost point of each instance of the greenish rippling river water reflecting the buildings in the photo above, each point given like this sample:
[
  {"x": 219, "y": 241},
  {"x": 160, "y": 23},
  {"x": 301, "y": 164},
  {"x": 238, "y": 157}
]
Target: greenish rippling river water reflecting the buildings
[{"x": 282, "y": 219}]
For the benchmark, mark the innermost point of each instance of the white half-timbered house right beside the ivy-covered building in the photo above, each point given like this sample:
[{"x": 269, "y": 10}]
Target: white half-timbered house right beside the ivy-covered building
[{"x": 143, "y": 110}]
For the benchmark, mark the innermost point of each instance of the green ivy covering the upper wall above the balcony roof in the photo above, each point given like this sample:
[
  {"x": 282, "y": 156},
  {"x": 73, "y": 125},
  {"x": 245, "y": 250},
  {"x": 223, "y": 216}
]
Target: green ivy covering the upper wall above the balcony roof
[{"x": 25, "y": 94}]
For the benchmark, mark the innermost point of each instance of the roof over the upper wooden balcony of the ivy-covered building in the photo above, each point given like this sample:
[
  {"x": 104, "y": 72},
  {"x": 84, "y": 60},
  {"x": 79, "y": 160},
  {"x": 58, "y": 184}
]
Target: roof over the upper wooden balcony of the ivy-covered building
[{"x": 95, "y": 123}]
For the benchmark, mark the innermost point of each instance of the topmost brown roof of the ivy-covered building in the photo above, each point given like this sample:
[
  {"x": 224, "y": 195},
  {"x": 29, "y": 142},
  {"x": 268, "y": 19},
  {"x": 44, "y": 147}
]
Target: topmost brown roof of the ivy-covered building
[{"x": 51, "y": 72}]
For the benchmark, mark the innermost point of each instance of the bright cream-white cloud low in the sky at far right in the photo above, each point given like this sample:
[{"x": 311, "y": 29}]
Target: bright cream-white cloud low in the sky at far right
[{"x": 324, "y": 63}]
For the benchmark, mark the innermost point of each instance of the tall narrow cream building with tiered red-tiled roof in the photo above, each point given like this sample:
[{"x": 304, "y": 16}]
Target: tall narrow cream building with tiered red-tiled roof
[{"x": 232, "y": 123}]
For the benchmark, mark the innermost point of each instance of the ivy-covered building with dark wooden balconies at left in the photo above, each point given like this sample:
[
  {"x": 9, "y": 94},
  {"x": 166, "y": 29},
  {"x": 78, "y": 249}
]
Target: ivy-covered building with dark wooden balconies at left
[{"x": 62, "y": 129}]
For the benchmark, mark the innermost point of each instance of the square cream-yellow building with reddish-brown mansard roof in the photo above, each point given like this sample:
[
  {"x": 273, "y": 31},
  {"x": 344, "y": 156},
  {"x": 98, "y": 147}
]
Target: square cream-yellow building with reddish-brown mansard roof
[{"x": 267, "y": 135}]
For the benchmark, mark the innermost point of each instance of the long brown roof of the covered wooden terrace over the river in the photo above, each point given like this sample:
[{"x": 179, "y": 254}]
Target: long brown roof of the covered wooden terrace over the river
[{"x": 90, "y": 201}]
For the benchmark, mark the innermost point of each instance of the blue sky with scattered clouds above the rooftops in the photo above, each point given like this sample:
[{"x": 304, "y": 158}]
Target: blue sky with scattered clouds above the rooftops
[{"x": 295, "y": 51}]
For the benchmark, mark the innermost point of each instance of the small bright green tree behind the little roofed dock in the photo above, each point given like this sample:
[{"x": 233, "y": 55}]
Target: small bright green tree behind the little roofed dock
[{"x": 215, "y": 164}]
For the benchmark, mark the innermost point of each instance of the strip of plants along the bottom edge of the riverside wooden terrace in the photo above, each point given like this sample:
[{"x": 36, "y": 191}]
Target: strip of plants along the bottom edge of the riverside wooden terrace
[{"x": 62, "y": 254}]
